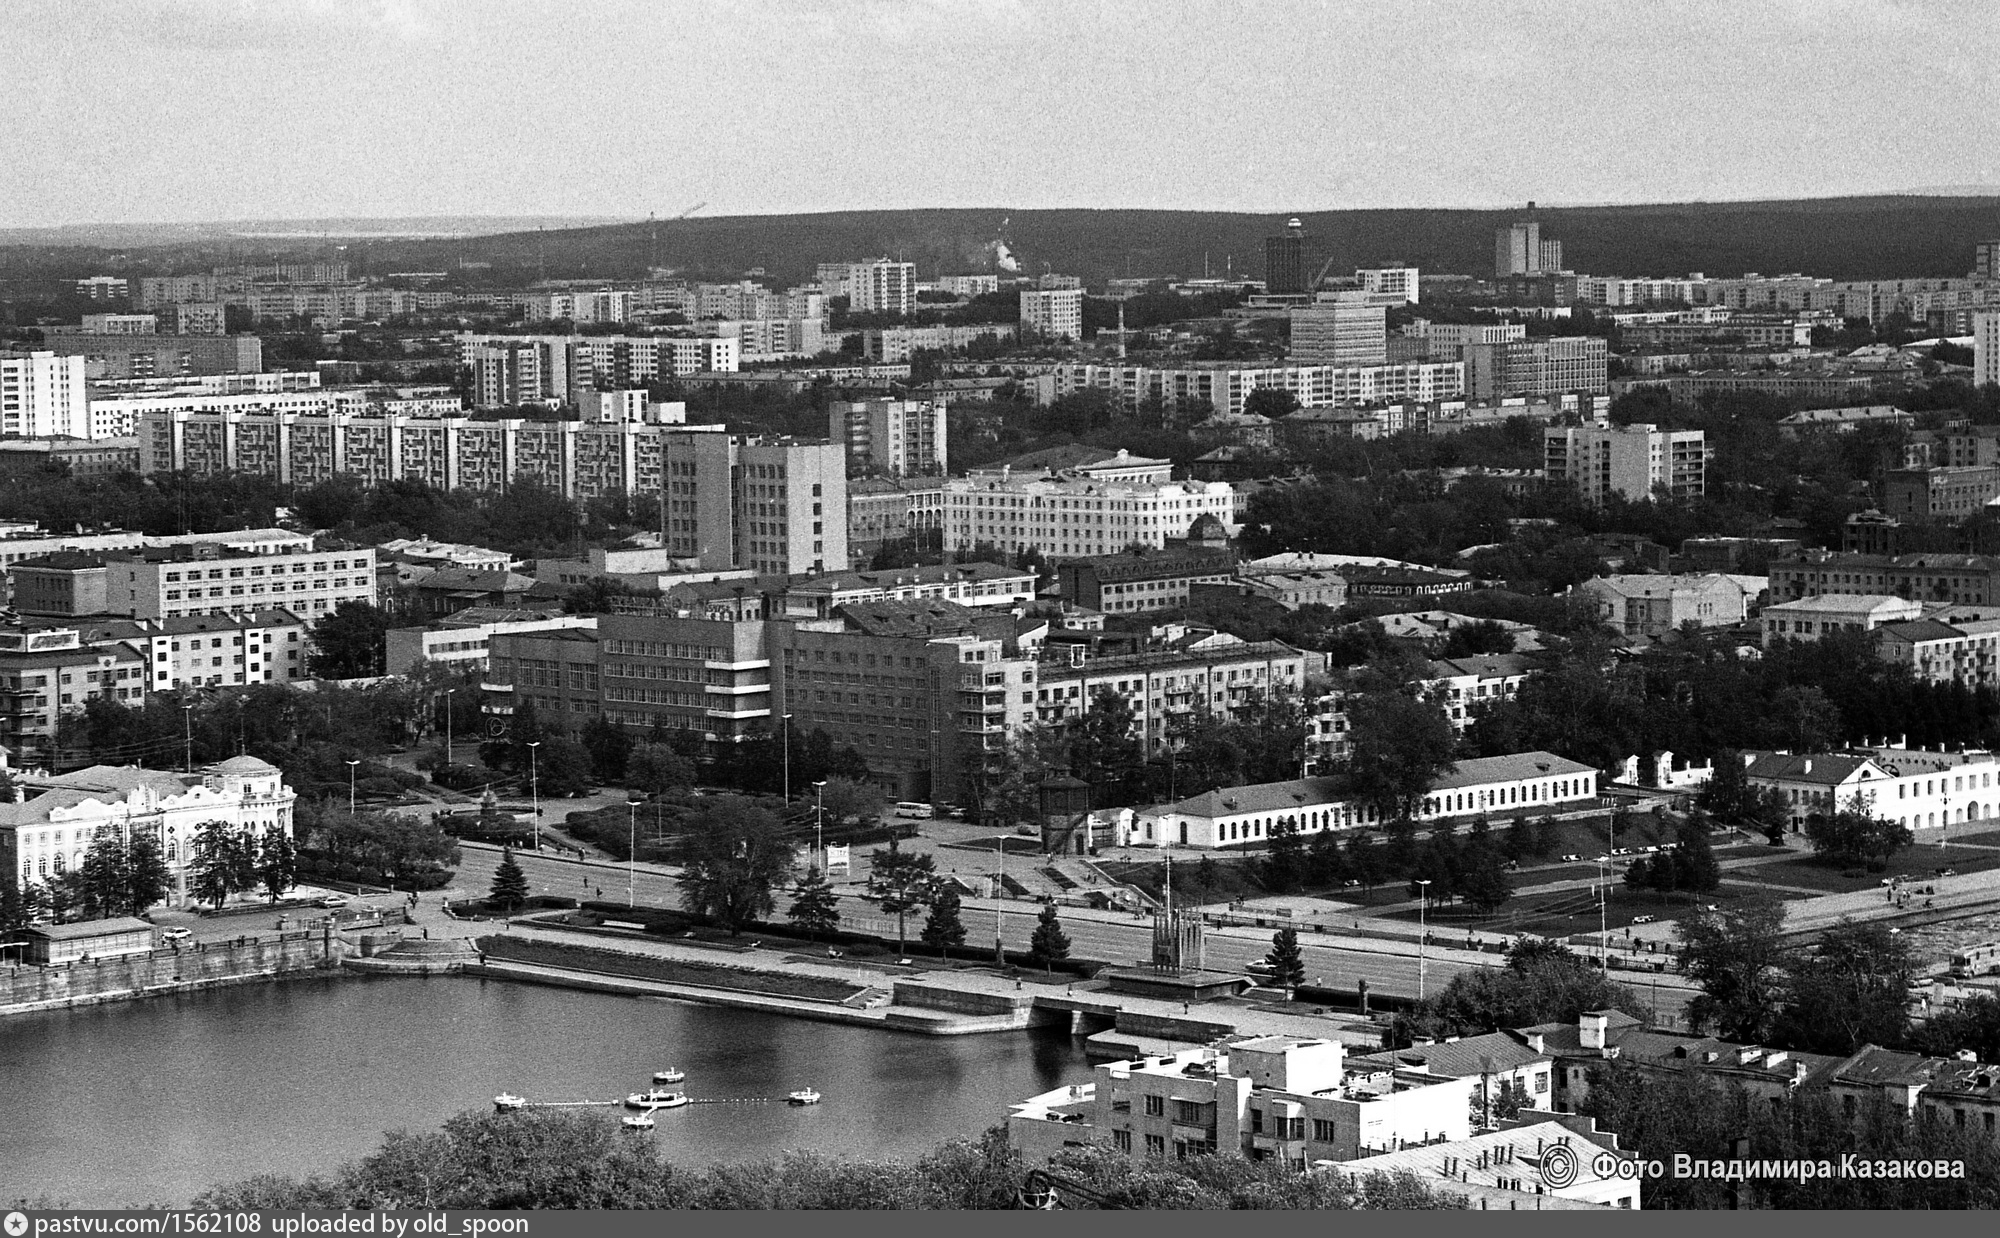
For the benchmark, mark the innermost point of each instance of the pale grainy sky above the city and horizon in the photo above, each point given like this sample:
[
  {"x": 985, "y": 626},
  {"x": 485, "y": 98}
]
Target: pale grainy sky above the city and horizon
[{"x": 187, "y": 111}]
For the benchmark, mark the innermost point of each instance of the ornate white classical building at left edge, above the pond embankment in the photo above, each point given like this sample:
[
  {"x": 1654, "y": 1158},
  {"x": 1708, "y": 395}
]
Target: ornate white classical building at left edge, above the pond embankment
[{"x": 49, "y": 835}]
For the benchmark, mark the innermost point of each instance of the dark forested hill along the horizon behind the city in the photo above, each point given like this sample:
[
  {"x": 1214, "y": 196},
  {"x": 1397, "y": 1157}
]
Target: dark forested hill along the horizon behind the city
[{"x": 1845, "y": 239}]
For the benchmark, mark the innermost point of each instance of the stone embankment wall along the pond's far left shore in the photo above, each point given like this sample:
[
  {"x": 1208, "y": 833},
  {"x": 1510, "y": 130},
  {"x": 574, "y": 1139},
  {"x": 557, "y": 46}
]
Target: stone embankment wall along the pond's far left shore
[{"x": 165, "y": 971}]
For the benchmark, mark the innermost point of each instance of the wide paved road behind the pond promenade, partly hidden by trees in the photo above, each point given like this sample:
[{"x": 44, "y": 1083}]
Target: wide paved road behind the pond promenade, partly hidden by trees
[{"x": 1389, "y": 967}]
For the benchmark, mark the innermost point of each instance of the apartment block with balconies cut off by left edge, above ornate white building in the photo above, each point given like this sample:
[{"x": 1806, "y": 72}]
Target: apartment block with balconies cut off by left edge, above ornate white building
[{"x": 47, "y": 673}]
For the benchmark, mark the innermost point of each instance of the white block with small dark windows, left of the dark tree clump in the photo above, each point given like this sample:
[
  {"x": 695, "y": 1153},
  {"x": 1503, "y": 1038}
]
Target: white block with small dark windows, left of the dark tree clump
[{"x": 215, "y": 651}]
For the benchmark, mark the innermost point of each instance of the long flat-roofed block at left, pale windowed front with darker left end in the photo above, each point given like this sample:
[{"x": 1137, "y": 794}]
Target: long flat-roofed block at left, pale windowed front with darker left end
[{"x": 191, "y": 581}]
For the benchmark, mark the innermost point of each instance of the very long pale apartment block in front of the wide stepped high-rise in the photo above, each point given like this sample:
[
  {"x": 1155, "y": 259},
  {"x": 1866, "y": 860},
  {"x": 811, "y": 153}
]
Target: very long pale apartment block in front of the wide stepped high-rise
[{"x": 1227, "y": 385}]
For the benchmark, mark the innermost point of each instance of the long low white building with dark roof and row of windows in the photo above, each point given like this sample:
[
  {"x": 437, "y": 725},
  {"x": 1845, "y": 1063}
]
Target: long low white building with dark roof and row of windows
[{"x": 1243, "y": 815}]
